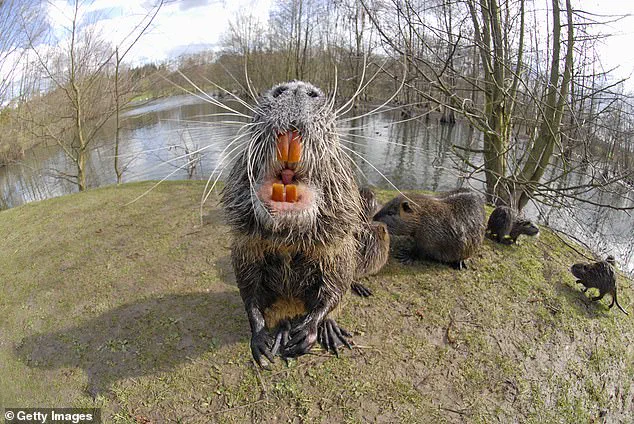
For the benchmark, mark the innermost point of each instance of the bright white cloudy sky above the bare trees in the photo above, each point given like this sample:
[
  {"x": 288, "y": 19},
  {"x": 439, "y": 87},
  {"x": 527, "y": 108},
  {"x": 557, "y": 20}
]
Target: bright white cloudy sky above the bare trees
[{"x": 187, "y": 26}]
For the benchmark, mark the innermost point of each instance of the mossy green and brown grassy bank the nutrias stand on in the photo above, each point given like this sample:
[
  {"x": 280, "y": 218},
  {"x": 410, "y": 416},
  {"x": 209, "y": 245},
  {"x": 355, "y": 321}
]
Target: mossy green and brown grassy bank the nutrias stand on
[{"x": 134, "y": 309}]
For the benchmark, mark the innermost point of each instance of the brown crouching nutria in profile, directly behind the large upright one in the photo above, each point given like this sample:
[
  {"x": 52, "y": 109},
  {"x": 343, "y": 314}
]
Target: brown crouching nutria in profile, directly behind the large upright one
[{"x": 447, "y": 227}]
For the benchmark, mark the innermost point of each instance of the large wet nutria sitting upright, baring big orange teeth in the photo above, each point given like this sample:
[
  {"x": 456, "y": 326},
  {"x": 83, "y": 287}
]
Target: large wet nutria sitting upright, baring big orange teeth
[{"x": 297, "y": 218}]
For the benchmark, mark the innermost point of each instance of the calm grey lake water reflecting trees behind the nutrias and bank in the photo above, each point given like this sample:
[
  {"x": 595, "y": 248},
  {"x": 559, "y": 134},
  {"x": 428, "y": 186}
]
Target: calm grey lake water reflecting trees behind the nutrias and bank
[{"x": 413, "y": 154}]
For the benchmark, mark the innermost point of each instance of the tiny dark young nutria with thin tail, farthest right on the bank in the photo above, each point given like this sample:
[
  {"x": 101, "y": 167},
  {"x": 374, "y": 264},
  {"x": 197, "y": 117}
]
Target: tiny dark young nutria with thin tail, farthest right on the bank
[{"x": 599, "y": 275}]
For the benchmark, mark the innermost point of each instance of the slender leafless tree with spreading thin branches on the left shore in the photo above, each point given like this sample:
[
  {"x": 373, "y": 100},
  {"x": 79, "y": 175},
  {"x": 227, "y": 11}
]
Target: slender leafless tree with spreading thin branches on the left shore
[{"x": 83, "y": 90}]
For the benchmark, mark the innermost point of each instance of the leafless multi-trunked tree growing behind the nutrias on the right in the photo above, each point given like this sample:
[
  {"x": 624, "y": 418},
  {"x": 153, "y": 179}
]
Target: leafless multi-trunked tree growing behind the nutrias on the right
[{"x": 499, "y": 36}]
